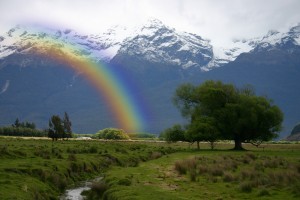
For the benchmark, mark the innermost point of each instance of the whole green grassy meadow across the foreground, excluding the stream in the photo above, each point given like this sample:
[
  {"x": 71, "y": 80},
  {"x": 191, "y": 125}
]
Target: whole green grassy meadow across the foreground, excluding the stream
[{"x": 41, "y": 169}]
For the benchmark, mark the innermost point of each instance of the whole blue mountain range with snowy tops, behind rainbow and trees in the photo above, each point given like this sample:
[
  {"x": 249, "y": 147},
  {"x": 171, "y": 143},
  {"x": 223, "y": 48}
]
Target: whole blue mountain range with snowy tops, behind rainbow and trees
[{"x": 158, "y": 59}]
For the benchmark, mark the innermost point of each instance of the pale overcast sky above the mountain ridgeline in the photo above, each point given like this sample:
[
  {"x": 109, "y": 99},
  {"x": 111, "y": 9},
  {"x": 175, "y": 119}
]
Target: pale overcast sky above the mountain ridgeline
[{"x": 217, "y": 20}]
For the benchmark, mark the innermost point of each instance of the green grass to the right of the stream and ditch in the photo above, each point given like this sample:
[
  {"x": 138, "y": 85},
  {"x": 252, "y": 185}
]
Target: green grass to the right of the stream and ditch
[{"x": 272, "y": 173}]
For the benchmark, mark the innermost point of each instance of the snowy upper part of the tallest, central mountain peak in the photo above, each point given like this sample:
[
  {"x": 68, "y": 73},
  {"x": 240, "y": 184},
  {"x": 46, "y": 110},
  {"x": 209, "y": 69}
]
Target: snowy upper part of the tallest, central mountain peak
[{"x": 159, "y": 43}]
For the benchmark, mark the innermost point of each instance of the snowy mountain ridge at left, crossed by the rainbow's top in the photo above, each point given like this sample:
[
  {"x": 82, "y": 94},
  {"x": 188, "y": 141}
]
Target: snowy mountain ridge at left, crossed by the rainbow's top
[{"x": 24, "y": 39}]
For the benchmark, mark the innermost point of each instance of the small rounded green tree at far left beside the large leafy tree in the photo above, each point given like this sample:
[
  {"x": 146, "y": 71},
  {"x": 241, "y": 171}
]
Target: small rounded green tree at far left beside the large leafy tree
[{"x": 173, "y": 134}]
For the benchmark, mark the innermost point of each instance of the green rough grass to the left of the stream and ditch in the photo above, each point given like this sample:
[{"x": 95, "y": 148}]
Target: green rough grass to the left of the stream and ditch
[{"x": 40, "y": 169}]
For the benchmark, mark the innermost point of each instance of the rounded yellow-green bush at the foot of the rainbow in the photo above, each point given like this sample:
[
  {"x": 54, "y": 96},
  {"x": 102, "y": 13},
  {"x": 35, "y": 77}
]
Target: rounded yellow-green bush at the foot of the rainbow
[{"x": 112, "y": 134}]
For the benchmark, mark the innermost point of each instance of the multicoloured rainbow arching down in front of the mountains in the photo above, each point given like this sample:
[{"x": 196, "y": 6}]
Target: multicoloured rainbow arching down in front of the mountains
[{"x": 126, "y": 108}]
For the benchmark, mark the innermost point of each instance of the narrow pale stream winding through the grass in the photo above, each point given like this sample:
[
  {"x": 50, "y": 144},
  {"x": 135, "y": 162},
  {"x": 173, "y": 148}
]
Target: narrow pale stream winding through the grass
[{"x": 75, "y": 193}]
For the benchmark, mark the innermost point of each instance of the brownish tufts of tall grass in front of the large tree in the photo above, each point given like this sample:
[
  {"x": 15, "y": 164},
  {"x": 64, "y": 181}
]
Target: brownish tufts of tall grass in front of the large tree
[{"x": 250, "y": 170}]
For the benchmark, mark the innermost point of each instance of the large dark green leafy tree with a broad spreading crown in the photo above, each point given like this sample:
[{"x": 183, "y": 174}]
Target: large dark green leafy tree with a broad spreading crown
[{"x": 236, "y": 114}]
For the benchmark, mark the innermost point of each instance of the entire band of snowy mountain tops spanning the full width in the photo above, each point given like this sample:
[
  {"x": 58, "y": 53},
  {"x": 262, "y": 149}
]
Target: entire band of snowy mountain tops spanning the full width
[{"x": 152, "y": 41}]
